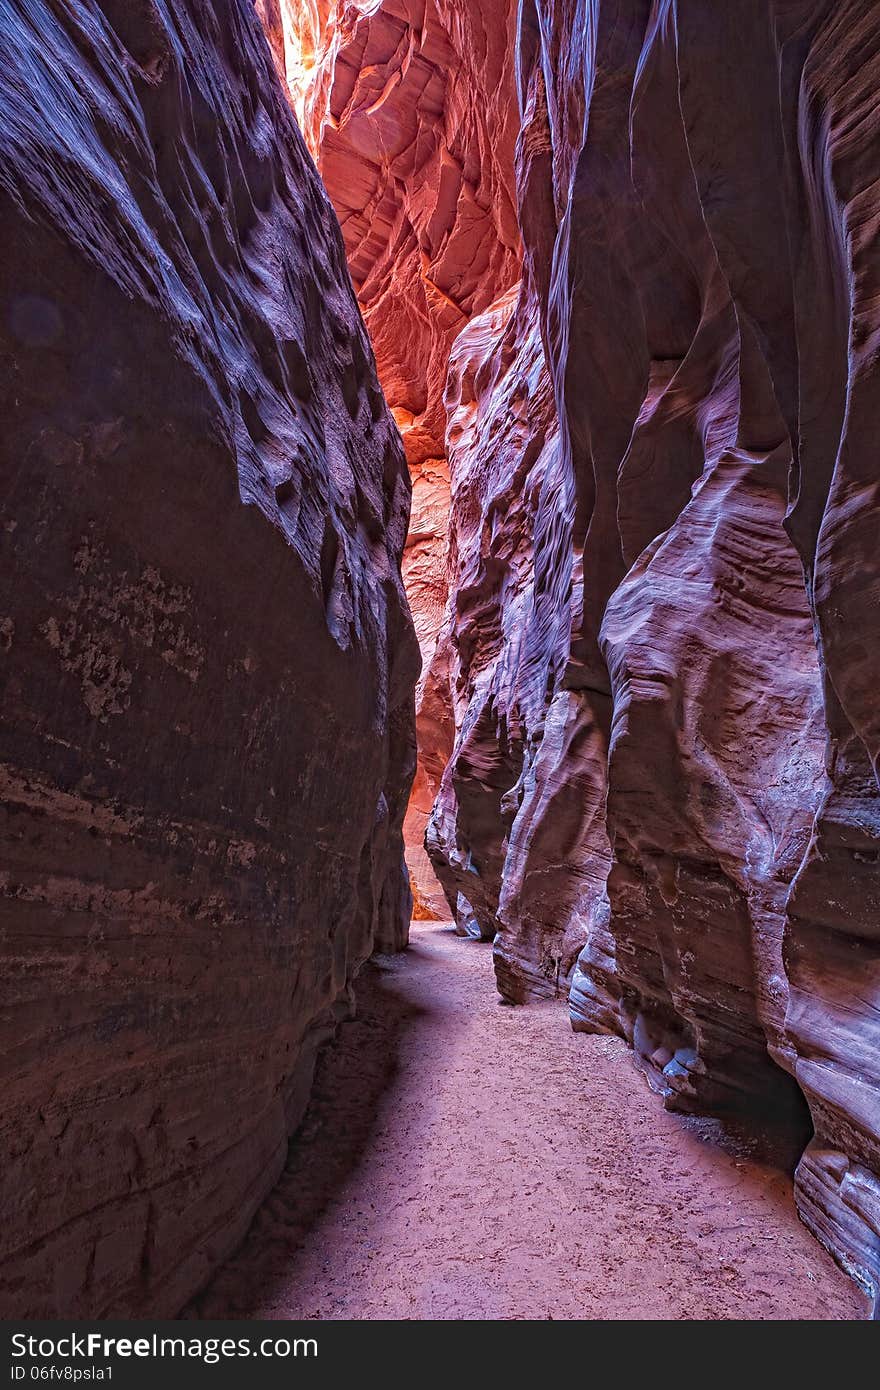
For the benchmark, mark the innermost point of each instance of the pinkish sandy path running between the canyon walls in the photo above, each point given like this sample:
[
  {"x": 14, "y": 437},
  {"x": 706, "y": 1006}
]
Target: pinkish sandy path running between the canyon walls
[{"x": 464, "y": 1160}]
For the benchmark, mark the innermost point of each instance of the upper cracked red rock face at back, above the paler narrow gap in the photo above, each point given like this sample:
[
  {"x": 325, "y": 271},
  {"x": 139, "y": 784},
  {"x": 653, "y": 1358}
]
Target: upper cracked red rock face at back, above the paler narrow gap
[{"x": 422, "y": 176}]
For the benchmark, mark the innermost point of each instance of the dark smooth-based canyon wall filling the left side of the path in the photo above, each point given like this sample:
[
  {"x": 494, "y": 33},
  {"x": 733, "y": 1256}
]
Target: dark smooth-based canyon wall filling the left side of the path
[{"x": 208, "y": 657}]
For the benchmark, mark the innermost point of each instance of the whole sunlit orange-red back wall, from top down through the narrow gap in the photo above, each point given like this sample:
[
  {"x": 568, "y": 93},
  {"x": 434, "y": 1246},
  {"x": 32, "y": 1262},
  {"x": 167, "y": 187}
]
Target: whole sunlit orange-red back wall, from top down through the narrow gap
[{"x": 409, "y": 108}]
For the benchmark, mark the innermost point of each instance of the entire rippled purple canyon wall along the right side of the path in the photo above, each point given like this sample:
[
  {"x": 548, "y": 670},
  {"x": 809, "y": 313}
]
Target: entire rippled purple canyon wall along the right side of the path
[{"x": 664, "y": 792}]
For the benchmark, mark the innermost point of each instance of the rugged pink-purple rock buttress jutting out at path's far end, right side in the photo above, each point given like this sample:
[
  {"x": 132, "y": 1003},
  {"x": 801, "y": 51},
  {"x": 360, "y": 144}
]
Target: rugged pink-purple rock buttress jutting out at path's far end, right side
[{"x": 501, "y": 826}]
